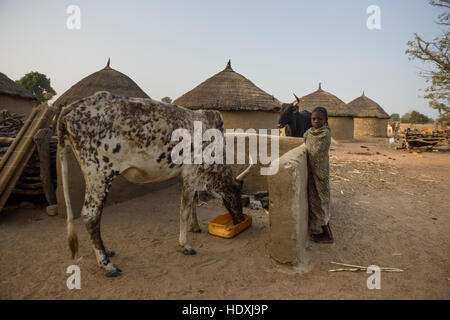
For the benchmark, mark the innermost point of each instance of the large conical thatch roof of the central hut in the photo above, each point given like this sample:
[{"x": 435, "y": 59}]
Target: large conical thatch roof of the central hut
[{"x": 228, "y": 91}]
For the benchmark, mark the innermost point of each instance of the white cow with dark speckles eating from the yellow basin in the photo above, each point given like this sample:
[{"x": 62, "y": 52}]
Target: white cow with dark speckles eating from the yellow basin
[{"x": 112, "y": 135}]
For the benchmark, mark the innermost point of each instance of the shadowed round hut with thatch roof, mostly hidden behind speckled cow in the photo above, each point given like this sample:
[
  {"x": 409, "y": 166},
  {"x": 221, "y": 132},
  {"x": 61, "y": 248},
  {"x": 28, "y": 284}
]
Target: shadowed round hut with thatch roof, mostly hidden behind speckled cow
[{"x": 117, "y": 83}]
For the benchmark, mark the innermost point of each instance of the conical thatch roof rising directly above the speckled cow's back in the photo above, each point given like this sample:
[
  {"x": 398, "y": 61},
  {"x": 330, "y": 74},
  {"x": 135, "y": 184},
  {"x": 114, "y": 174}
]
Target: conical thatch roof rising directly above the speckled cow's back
[{"x": 106, "y": 79}]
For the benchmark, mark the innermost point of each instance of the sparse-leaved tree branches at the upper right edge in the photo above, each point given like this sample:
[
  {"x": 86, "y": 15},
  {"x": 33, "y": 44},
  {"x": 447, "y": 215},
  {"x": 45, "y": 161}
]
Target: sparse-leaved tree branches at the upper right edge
[{"x": 436, "y": 53}]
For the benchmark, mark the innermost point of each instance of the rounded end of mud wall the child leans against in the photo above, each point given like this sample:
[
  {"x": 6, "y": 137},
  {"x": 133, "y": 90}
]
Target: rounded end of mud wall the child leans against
[{"x": 288, "y": 208}]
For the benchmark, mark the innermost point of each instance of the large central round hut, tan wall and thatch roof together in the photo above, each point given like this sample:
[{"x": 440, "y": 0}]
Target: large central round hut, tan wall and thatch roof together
[{"x": 242, "y": 104}]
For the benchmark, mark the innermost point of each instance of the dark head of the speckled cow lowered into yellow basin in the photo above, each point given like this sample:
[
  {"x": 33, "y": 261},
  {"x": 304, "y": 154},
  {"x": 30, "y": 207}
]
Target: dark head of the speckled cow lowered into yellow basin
[{"x": 231, "y": 192}]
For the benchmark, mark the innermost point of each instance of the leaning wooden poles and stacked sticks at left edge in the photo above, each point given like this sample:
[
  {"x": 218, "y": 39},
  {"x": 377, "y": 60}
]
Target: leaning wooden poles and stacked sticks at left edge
[{"x": 27, "y": 155}]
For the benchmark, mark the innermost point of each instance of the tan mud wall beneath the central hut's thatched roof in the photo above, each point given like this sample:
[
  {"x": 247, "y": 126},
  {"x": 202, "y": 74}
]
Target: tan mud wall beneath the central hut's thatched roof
[{"x": 250, "y": 119}]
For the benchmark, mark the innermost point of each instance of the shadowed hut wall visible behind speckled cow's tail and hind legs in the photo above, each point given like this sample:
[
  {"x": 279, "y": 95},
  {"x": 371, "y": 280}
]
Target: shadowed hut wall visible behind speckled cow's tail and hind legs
[{"x": 121, "y": 190}]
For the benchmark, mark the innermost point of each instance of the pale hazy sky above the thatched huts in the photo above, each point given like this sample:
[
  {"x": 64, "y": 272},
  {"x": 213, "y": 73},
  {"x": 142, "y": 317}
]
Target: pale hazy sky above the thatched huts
[{"x": 169, "y": 47}]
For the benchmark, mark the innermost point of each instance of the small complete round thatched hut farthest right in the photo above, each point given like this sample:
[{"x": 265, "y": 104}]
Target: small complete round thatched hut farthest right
[{"x": 370, "y": 119}]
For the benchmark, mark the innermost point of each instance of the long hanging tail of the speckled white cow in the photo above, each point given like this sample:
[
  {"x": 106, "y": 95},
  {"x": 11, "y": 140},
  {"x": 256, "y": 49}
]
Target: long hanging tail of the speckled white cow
[{"x": 64, "y": 144}]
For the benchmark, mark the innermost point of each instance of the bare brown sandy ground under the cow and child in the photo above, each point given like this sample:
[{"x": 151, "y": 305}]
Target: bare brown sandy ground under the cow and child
[{"x": 389, "y": 208}]
